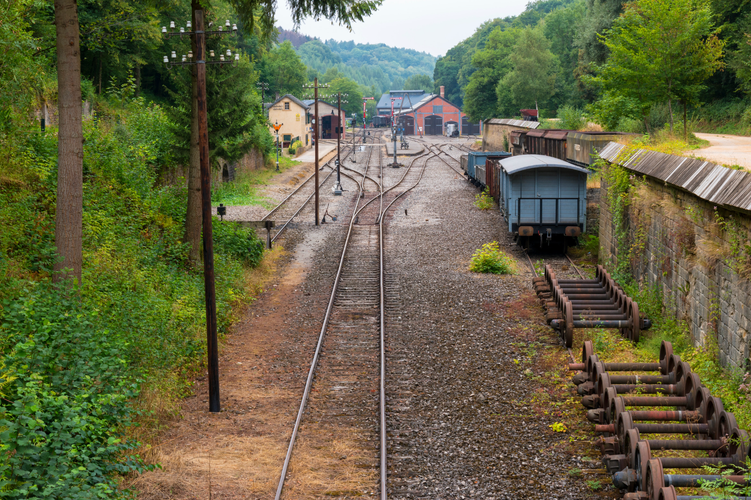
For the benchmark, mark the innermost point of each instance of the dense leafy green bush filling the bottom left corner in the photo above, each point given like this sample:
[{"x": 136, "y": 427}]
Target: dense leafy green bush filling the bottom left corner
[{"x": 60, "y": 416}]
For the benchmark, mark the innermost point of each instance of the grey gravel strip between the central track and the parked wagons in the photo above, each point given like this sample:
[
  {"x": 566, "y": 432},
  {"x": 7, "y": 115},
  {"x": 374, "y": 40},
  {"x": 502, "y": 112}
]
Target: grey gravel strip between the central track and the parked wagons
[{"x": 460, "y": 419}]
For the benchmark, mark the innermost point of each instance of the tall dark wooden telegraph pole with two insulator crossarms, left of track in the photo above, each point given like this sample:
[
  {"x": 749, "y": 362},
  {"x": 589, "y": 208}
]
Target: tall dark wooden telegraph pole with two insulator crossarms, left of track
[{"x": 203, "y": 146}]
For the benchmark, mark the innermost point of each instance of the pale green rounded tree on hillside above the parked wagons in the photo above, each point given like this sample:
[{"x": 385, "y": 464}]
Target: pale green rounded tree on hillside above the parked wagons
[{"x": 533, "y": 69}]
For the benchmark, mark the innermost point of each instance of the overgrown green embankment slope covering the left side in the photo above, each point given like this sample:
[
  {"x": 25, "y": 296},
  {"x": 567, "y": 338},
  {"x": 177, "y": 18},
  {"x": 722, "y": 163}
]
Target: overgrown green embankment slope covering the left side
[{"x": 75, "y": 363}]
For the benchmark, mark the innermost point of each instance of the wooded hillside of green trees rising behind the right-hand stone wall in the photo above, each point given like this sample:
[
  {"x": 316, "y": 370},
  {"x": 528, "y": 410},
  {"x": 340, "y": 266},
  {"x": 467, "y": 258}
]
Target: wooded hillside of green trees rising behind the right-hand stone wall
[{"x": 558, "y": 54}]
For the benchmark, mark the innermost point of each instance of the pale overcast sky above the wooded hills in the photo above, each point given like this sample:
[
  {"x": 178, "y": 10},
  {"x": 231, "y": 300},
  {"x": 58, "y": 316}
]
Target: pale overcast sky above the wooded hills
[{"x": 440, "y": 25}]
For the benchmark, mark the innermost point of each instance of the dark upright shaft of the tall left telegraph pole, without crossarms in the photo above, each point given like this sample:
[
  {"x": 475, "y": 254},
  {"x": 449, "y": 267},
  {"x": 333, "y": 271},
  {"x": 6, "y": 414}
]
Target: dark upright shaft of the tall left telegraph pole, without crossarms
[{"x": 208, "y": 244}]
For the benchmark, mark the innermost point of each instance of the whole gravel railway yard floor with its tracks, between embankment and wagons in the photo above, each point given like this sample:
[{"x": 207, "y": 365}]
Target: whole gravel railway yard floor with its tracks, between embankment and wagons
[{"x": 375, "y": 365}]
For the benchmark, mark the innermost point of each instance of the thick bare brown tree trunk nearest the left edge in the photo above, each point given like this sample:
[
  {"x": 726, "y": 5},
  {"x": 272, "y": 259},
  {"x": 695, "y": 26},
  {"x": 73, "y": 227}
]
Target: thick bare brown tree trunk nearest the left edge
[{"x": 69, "y": 210}]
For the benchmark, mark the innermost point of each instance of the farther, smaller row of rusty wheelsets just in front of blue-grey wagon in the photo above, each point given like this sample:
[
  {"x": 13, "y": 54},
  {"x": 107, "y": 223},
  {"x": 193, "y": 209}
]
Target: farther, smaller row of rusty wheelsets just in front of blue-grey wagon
[{"x": 588, "y": 303}]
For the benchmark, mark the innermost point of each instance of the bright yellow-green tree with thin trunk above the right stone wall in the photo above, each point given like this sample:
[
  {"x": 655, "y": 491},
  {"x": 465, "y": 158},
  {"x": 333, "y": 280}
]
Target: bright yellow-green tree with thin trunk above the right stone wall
[{"x": 661, "y": 51}]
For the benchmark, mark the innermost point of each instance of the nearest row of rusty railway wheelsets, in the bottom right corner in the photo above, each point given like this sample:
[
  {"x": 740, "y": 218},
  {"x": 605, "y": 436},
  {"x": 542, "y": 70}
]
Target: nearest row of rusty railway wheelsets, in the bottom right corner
[{"x": 622, "y": 399}]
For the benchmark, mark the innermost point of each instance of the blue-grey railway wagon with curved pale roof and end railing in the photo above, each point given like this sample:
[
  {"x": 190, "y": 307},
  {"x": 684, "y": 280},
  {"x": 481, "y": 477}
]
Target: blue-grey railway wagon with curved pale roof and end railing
[{"x": 542, "y": 195}]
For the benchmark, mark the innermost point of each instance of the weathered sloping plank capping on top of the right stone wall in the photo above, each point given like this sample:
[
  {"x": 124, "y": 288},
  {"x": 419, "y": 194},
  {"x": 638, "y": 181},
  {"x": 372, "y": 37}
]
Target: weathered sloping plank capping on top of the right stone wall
[{"x": 714, "y": 183}]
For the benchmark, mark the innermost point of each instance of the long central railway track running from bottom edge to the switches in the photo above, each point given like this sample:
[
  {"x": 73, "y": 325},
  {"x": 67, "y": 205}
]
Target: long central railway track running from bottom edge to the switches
[{"x": 338, "y": 394}]
